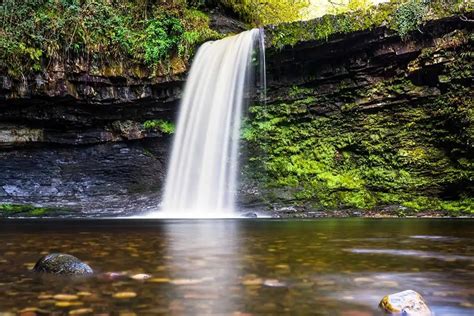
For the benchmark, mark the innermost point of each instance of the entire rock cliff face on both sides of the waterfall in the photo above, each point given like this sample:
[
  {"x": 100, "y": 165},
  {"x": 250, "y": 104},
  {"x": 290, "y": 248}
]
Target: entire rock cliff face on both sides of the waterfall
[{"x": 362, "y": 120}]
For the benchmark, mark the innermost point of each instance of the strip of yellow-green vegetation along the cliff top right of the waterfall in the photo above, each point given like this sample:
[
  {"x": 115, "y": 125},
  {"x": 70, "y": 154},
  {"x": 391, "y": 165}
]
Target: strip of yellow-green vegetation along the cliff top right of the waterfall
[{"x": 402, "y": 16}]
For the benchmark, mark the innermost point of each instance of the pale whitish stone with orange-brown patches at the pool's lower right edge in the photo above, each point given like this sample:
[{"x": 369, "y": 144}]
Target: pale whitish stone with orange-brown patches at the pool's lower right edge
[{"x": 407, "y": 302}]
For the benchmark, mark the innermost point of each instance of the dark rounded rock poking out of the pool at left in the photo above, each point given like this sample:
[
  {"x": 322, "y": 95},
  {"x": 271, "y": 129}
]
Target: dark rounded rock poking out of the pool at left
[{"x": 63, "y": 264}]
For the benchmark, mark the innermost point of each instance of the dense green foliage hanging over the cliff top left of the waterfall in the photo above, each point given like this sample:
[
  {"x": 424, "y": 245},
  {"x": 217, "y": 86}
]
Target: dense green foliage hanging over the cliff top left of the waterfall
[{"x": 36, "y": 31}]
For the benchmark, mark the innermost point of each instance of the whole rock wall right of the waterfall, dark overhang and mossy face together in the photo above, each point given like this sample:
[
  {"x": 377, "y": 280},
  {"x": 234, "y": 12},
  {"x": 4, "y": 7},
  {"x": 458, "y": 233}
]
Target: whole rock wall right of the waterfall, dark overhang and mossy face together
[{"x": 367, "y": 120}]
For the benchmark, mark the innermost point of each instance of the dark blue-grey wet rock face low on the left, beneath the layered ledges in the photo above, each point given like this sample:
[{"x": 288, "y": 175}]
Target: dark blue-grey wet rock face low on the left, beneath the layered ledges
[{"x": 82, "y": 176}]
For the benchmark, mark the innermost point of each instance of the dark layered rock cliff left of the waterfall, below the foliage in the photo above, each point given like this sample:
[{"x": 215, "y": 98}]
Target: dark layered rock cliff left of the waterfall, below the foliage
[{"x": 75, "y": 135}]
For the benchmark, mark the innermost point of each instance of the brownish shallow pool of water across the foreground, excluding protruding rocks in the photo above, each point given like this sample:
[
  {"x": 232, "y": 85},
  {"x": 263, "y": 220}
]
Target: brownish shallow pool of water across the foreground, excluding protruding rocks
[{"x": 239, "y": 267}]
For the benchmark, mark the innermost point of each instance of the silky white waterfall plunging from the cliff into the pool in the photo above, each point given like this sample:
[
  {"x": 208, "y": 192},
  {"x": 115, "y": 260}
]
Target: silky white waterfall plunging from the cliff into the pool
[{"x": 202, "y": 175}]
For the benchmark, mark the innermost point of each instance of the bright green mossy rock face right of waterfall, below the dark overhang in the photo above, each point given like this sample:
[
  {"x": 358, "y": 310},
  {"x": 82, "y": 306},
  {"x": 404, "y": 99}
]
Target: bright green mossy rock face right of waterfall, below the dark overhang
[{"x": 393, "y": 141}]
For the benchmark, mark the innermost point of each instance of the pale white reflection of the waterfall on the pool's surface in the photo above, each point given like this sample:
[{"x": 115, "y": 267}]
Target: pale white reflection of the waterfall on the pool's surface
[{"x": 204, "y": 262}]
